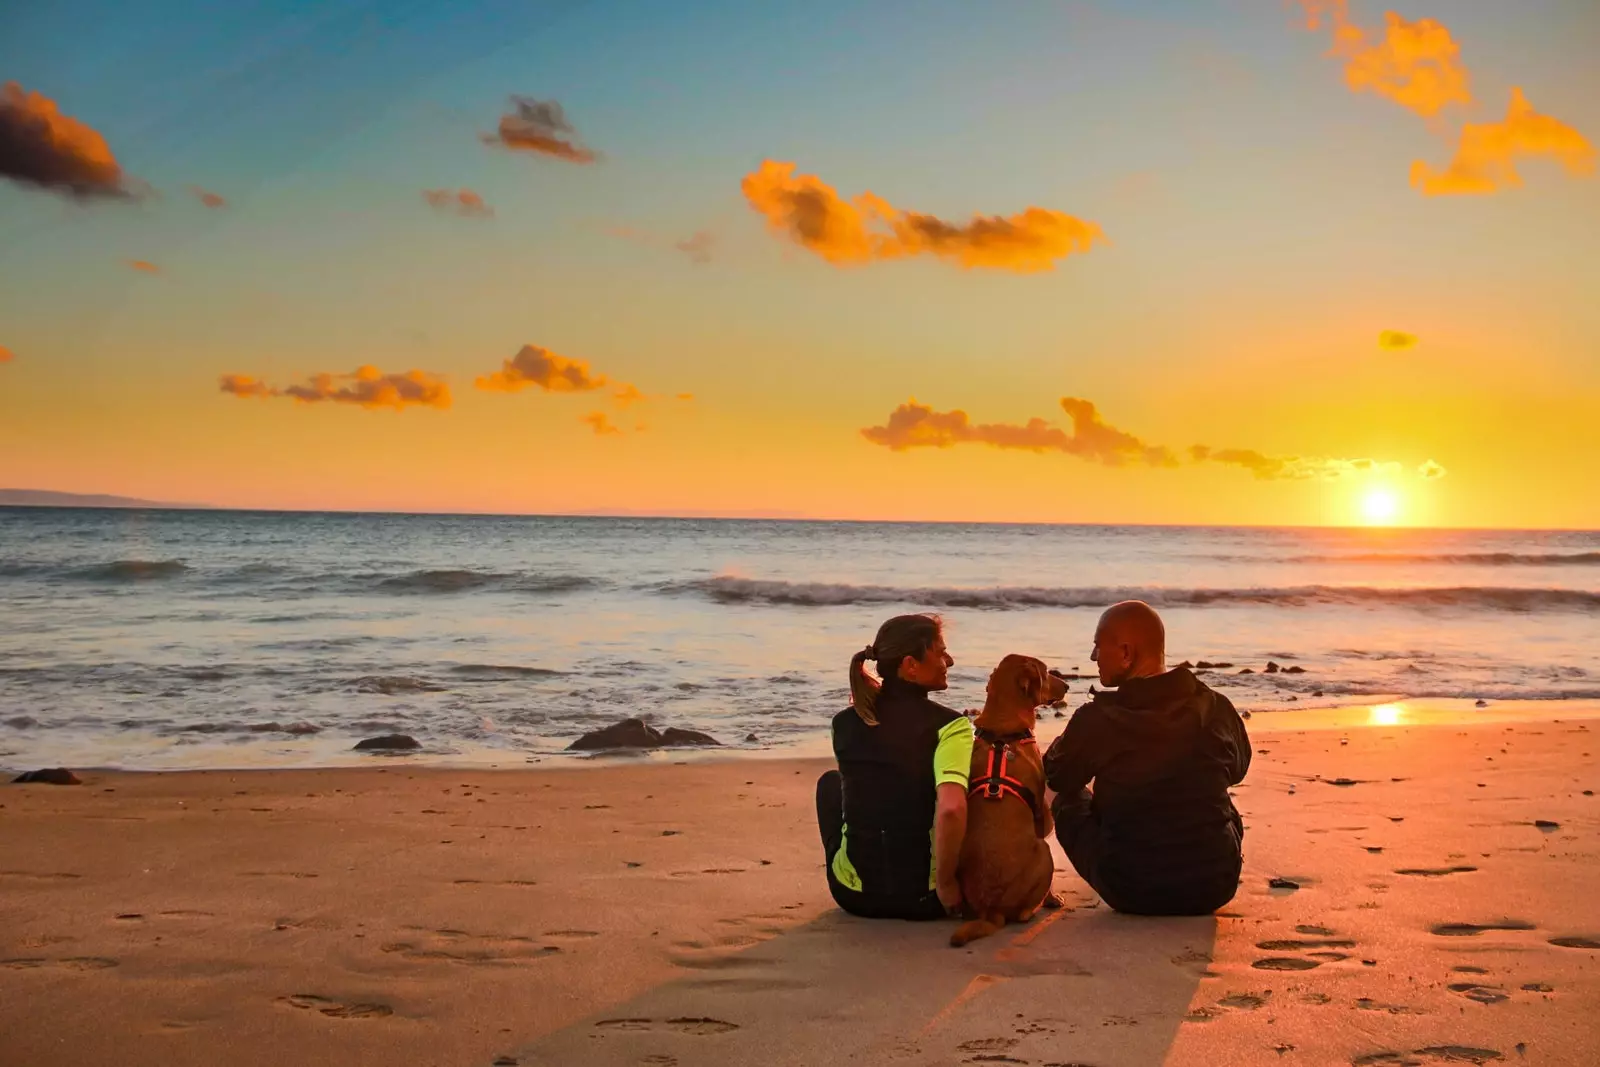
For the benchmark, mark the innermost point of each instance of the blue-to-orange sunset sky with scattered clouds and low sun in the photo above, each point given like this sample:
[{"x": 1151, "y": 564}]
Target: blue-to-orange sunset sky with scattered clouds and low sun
[{"x": 1146, "y": 262}]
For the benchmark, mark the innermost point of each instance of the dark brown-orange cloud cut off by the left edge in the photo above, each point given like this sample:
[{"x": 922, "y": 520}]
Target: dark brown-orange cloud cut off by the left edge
[{"x": 42, "y": 148}]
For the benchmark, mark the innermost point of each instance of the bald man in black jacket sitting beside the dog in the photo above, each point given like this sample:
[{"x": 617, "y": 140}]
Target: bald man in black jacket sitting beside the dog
[{"x": 1159, "y": 834}]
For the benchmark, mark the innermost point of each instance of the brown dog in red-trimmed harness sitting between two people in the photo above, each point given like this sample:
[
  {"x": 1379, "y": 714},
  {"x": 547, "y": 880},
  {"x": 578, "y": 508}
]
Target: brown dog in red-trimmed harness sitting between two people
[{"x": 1006, "y": 865}]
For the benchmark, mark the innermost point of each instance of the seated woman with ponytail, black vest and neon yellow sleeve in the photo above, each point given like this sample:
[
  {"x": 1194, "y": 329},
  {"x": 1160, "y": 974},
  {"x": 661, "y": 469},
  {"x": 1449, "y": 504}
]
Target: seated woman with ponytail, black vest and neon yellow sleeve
[{"x": 895, "y": 812}]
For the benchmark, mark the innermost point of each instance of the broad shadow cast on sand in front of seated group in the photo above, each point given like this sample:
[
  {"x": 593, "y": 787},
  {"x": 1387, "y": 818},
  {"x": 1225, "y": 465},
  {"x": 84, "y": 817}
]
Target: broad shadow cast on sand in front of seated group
[{"x": 1074, "y": 988}]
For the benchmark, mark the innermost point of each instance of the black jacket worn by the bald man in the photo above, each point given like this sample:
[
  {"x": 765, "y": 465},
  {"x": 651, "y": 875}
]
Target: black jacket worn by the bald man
[{"x": 1162, "y": 754}]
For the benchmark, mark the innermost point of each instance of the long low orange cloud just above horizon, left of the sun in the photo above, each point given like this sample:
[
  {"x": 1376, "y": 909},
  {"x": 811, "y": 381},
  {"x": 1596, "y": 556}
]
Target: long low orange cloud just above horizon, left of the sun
[{"x": 919, "y": 426}]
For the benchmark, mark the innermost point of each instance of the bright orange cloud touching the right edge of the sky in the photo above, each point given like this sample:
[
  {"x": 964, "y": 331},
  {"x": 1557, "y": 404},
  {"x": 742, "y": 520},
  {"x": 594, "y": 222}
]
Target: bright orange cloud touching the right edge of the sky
[{"x": 1487, "y": 154}]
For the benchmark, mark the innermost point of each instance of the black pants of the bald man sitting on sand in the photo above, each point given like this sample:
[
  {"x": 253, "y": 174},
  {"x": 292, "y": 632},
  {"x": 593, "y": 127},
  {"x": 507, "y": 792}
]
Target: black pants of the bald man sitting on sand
[{"x": 1079, "y": 831}]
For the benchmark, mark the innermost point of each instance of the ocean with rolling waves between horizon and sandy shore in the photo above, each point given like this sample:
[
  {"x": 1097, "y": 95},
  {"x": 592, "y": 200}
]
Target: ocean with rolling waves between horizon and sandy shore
[{"x": 159, "y": 639}]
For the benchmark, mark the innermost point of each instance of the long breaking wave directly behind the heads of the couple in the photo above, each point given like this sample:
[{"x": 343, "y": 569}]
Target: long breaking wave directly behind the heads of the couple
[{"x": 756, "y": 591}]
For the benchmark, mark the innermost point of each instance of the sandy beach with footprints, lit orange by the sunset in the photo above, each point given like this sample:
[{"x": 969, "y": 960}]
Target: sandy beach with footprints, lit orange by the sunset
[{"x": 630, "y": 913}]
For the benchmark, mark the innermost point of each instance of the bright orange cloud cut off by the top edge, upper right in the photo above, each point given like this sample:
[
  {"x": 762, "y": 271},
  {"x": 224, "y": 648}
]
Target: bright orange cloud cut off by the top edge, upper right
[{"x": 1415, "y": 65}]
